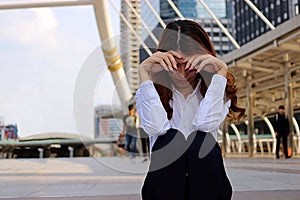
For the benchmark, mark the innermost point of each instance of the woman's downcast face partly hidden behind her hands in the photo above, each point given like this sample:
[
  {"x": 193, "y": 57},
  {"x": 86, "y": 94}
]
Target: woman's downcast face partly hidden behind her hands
[{"x": 182, "y": 78}]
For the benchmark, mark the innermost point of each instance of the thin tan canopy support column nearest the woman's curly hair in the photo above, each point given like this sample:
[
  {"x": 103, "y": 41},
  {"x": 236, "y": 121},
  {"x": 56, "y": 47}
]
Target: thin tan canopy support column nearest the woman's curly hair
[{"x": 250, "y": 105}]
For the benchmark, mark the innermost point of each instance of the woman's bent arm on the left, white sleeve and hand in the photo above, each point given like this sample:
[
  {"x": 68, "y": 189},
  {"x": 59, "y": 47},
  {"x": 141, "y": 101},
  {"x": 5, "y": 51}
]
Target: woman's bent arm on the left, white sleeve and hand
[{"x": 152, "y": 114}]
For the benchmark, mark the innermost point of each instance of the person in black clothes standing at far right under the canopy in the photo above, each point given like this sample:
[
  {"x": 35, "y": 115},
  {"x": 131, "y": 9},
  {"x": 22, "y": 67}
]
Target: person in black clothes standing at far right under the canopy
[{"x": 282, "y": 130}]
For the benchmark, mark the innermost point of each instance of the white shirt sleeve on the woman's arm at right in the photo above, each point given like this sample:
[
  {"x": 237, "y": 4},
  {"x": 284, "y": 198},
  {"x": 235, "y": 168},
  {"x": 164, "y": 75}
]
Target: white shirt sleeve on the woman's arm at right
[{"x": 212, "y": 109}]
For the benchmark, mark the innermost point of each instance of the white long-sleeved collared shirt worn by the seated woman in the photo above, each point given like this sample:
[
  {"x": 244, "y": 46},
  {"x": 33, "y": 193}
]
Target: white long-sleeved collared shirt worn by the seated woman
[{"x": 190, "y": 114}]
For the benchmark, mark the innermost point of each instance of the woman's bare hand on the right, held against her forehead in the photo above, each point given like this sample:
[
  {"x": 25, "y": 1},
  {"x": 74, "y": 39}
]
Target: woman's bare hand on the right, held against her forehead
[{"x": 206, "y": 62}]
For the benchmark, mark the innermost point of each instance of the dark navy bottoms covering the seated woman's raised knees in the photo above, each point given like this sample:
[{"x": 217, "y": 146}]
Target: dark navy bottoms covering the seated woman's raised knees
[{"x": 189, "y": 169}]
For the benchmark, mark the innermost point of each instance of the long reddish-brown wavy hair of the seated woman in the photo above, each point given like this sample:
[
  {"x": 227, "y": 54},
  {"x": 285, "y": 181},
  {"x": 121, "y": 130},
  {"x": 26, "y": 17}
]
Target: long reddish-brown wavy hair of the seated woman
[{"x": 190, "y": 38}]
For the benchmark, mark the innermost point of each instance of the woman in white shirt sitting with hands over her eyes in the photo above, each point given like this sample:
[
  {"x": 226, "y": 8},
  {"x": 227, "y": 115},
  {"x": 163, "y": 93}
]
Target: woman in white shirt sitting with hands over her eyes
[{"x": 185, "y": 94}]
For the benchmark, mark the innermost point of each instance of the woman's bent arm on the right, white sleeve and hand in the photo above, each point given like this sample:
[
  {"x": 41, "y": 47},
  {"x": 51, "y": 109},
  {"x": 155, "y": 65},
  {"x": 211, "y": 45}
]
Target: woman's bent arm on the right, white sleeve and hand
[{"x": 212, "y": 109}]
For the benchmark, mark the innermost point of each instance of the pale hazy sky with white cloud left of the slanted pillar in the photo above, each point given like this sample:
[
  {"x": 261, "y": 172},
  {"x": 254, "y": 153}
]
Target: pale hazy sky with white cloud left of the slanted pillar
[{"x": 42, "y": 53}]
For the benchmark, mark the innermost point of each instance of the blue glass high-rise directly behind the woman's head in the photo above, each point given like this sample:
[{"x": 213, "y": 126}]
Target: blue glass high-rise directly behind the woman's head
[{"x": 193, "y": 9}]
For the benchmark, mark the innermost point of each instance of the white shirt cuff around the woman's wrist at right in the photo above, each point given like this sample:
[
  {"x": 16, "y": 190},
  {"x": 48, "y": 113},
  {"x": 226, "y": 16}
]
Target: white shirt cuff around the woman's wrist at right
[{"x": 217, "y": 85}]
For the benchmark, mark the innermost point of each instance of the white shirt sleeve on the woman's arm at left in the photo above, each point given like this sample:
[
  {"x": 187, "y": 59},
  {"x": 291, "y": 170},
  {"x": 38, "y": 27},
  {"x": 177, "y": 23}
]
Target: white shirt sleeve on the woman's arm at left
[{"x": 153, "y": 117}]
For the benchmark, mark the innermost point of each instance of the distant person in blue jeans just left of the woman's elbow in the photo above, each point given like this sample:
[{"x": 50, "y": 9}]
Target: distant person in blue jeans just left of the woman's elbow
[{"x": 130, "y": 130}]
